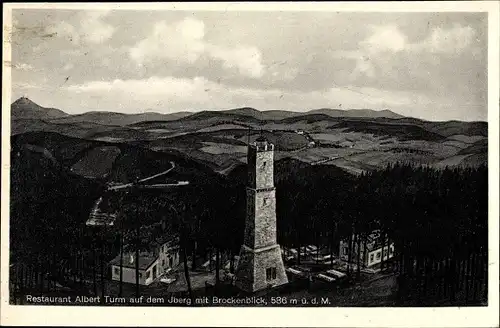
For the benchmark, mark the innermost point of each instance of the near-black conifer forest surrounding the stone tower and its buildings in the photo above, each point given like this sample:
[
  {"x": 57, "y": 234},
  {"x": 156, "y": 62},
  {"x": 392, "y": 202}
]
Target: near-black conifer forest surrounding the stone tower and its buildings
[{"x": 437, "y": 220}]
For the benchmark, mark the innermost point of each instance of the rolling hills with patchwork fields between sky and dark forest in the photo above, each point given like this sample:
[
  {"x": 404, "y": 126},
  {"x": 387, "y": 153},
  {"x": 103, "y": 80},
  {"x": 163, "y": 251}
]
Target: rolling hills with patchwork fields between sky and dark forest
[{"x": 356, "y": 140}]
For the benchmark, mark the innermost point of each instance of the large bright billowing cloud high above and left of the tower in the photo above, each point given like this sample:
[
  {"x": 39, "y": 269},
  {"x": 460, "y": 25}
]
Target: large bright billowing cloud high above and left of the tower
[{"x": 185, "y": 42}]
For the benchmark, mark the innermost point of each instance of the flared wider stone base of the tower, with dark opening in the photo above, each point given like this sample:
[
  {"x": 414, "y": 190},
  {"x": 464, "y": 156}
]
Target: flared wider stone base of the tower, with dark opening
[{"x": 260, "y": 268}]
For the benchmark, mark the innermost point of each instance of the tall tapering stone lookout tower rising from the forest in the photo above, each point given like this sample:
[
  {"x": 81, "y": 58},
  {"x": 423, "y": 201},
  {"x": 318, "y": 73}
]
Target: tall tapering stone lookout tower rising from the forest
[{"x": 260, "y": 265}]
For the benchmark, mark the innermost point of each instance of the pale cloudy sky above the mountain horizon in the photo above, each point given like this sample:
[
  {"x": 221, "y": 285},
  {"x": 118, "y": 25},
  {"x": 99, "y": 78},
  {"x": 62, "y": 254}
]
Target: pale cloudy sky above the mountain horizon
[{"x": 426, "y": 65}]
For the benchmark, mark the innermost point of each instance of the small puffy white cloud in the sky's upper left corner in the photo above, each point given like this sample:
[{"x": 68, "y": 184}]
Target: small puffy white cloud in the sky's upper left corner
[{"x": 90, "y": 29}]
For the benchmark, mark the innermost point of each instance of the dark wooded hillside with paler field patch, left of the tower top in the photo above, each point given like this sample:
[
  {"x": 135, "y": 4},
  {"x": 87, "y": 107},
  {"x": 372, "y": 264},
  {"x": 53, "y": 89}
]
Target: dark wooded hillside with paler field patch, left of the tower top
[{"x": 124, "y": 165}]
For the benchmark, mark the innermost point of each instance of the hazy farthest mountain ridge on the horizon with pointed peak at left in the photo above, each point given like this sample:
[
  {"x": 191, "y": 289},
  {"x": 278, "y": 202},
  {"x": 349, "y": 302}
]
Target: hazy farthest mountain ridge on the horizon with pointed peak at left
[{"x": 24, "y": 108}]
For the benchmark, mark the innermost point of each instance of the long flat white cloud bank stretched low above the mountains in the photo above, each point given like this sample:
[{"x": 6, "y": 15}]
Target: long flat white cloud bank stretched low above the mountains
[{"x": 199, "y": 92}]
